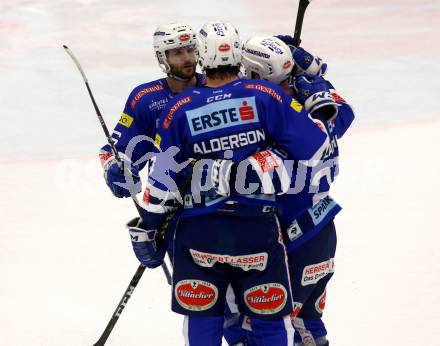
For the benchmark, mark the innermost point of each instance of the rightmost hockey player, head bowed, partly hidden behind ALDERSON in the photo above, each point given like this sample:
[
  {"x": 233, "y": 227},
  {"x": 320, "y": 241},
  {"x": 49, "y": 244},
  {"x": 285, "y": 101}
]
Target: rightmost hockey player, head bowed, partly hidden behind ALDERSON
[{"x": 306, "y": 215}]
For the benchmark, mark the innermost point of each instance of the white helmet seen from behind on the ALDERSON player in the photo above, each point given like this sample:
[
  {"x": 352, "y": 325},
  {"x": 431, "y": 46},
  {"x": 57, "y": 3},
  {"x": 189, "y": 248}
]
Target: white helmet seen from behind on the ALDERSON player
[{"x": 219, "y": 45}]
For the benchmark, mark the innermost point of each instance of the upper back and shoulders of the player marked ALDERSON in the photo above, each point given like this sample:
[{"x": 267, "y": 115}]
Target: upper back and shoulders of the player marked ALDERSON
[{"x": 241, "y": 117}]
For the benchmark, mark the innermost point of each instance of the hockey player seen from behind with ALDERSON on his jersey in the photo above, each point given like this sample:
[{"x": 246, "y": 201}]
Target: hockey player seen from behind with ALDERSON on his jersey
[{"x": 223, "y": 240}]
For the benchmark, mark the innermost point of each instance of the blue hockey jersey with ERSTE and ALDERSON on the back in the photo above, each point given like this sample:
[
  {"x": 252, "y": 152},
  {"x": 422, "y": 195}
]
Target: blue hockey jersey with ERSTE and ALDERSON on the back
[{"x": 239, "y": 118}]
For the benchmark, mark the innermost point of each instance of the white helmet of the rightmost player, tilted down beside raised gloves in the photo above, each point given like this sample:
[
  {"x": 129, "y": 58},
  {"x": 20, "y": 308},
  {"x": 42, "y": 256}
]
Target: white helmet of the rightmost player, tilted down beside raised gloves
[{"x": 267, "y": 56}]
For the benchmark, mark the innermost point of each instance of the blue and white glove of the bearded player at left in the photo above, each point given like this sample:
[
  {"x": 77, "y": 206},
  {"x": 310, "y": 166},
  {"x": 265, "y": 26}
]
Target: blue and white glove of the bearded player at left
[{"x": 122, "y": 178}]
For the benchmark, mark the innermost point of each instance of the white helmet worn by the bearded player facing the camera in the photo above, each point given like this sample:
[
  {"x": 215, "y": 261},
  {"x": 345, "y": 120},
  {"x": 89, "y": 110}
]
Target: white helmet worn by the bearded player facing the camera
[{"x": 171, "y": 36}]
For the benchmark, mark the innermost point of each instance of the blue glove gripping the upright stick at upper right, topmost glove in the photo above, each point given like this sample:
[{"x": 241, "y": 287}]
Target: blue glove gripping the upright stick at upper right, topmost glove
[{"x": 304, "y": 60}]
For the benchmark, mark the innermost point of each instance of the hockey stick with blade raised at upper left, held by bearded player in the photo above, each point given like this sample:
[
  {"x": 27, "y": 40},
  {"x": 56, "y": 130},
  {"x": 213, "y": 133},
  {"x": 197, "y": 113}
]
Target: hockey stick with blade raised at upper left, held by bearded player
[{"x": 109, "y": 139}]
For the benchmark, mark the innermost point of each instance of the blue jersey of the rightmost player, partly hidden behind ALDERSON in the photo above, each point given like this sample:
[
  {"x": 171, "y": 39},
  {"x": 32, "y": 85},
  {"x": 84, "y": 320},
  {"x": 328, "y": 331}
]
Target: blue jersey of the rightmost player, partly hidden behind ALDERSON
[{"x": 306, "y": 207}]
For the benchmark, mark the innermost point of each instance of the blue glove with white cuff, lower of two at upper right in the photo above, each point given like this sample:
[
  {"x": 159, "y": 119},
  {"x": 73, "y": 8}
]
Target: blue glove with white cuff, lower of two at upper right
[{"x": 314, "y": 93}]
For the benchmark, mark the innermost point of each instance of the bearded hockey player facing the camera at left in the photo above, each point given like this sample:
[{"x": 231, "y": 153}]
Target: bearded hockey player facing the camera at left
[{"x": 176, "y": 52}]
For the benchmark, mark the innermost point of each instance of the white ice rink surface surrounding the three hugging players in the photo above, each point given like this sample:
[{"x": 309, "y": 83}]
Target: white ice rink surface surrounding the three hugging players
[{"x": 65, "y": 257}]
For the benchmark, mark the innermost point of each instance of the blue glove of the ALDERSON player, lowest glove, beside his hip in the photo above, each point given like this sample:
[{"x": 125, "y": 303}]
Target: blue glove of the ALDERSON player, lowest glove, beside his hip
[{"x": 148, "y": 250}]
